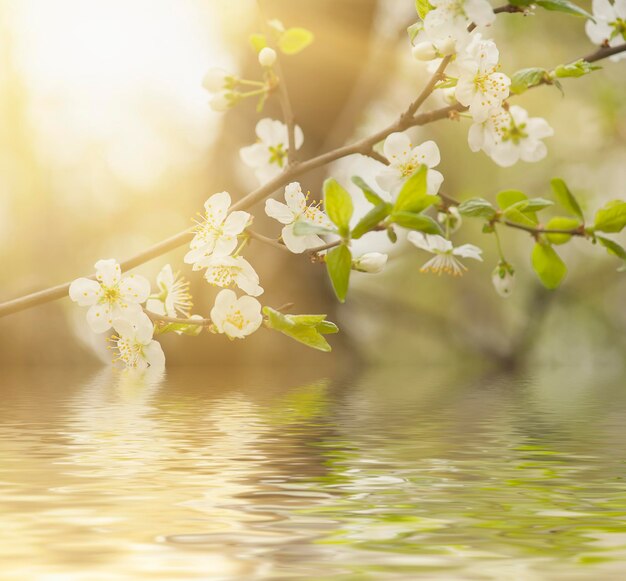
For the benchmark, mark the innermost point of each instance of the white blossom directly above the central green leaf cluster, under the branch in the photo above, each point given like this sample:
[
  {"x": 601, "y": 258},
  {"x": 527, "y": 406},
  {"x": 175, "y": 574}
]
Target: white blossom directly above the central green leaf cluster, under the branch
[{"x": 405, "y": 160}]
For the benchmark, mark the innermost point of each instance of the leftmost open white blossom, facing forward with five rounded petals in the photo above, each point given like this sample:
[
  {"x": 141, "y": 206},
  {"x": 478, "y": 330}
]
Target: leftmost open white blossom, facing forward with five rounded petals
[{"x": 111, "y": 296}]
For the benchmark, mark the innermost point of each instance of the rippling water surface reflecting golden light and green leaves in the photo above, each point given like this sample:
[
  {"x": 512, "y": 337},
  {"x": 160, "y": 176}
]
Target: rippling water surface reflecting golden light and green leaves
[{"x": 261, "y": 474}]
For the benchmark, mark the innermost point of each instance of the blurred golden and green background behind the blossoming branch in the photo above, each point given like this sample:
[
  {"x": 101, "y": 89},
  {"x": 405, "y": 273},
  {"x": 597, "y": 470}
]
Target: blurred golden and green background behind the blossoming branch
[{"x": 108, "y": 145}]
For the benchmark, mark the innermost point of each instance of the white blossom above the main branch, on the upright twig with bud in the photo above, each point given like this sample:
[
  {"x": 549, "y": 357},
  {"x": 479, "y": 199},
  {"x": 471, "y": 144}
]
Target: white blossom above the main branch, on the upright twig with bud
[{"x": 268, "y": 157}]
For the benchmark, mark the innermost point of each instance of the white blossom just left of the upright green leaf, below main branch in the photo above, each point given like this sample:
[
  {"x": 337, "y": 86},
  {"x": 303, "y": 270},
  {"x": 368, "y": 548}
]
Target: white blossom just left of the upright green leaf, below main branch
[{"x": 296, "y": 209}]
